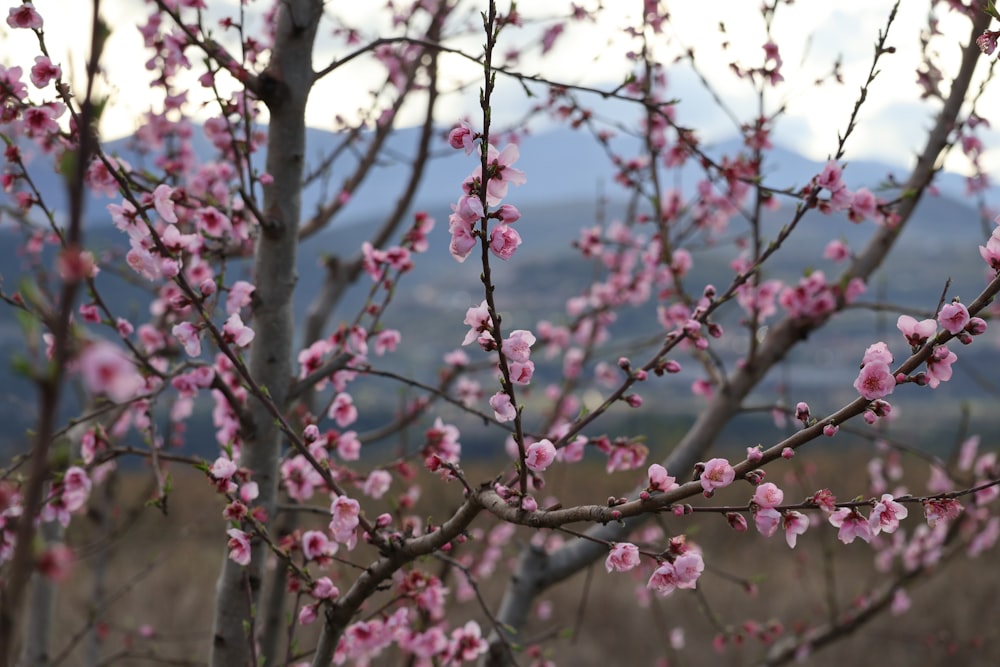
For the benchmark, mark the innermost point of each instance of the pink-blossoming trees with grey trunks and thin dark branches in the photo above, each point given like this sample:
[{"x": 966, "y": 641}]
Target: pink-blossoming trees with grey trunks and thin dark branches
[{"x": 308, "y": 530}]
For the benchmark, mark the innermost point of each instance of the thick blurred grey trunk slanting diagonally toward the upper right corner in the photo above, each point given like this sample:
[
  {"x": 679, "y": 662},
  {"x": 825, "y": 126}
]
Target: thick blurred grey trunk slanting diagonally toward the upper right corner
[{"x": 537, "y": 570}]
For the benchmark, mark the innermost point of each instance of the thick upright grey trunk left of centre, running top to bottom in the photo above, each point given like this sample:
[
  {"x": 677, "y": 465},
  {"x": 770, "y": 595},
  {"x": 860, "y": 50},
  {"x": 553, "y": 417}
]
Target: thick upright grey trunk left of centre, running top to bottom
[{"x": 285, "y": 87}]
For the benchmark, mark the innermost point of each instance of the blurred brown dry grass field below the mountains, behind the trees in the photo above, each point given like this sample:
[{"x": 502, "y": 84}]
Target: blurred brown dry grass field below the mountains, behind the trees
[{"x": 147, "y": 586}]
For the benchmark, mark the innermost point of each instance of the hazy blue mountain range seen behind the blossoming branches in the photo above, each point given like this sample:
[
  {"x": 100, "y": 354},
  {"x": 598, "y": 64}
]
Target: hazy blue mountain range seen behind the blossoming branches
[{"x": 570, "y": 184}]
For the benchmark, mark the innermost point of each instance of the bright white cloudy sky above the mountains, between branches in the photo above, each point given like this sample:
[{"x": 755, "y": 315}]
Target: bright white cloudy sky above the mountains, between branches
[{"x": 810, "y": 35}]
